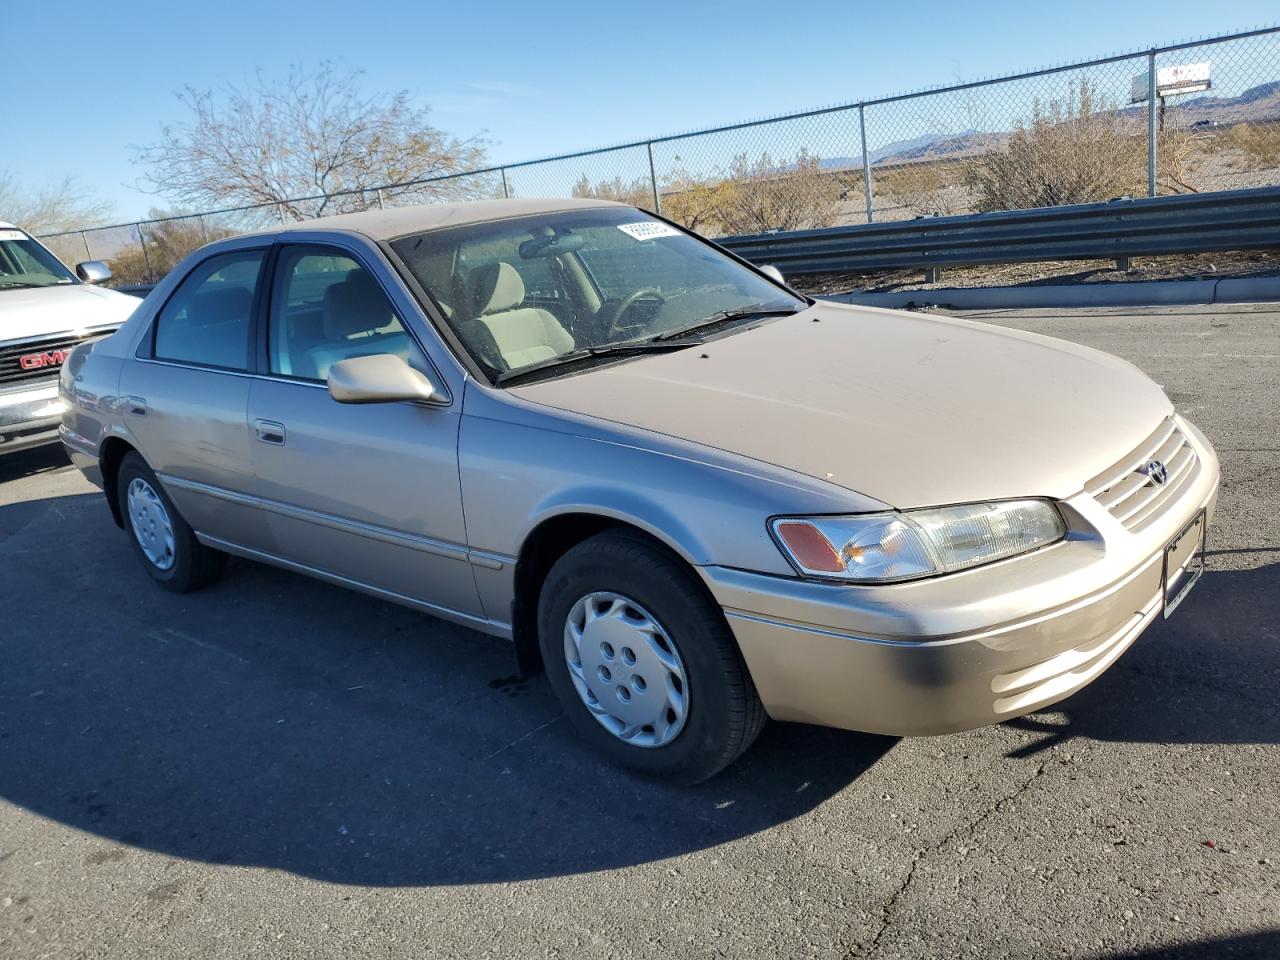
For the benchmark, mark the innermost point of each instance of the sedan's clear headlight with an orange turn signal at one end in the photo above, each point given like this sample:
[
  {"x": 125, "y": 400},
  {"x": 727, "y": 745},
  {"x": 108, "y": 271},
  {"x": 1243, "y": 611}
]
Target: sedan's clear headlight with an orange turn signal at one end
[{"x": 920, "y": 543}]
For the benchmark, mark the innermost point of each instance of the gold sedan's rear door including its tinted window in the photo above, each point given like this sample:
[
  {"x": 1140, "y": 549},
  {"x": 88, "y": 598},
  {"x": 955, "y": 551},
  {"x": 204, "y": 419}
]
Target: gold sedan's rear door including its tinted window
[{"x": 186, "y": 397}]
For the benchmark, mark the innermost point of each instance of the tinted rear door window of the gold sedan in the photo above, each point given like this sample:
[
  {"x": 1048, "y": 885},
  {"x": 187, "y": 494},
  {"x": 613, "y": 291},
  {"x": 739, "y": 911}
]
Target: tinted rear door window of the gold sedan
[{"x": 207, "y": 322}]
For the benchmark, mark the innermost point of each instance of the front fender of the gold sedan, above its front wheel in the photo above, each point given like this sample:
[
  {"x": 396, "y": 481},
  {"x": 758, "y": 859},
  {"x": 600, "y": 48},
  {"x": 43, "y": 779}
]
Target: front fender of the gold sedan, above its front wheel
[{"x": 520, "y": 468}]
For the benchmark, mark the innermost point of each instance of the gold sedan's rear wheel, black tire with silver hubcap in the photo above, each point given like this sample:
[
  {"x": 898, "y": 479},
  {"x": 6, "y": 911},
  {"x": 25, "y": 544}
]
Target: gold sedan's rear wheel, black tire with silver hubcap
[{"x": 177, "y": 563}]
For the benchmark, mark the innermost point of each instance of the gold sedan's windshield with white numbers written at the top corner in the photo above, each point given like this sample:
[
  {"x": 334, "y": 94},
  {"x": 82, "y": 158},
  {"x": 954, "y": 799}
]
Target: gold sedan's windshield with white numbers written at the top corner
[{"x": 529, "y": 292}]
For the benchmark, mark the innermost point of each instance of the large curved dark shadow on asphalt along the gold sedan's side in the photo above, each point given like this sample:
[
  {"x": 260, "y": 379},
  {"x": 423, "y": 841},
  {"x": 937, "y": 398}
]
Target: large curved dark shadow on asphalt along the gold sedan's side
[{"x": 280, "y": 723}]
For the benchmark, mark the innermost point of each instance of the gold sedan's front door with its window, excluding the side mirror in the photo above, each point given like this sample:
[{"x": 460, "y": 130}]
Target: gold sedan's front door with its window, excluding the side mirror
[{"x": 368, "y": 493}]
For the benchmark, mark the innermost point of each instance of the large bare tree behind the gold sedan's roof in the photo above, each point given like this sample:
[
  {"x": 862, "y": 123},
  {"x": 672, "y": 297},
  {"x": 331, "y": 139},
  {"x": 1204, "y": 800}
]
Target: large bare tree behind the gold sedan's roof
[{"x": 316, "y": 134}]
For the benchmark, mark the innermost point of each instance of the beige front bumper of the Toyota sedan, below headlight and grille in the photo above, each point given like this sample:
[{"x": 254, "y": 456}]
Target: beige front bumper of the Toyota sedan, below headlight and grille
[{"x": 963, "y": 651}]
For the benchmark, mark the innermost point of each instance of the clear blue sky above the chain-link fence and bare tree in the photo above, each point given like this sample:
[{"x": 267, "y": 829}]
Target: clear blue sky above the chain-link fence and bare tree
[{"x": 536, "y": 79}]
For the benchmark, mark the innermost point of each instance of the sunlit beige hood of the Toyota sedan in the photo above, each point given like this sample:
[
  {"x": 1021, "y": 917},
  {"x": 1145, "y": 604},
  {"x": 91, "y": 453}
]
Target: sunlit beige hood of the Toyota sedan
[{"x": 909, "y": 409}]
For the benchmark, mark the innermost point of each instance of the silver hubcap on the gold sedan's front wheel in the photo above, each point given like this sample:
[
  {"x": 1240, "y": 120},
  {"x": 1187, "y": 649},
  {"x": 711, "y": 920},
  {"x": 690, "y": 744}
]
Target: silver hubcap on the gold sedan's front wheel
[{"x": 627, "y": 670}]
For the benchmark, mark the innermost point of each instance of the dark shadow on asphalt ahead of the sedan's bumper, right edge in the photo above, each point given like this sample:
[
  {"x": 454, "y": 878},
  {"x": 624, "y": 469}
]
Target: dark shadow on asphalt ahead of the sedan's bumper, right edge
[{"x": 1208, "y": 675}]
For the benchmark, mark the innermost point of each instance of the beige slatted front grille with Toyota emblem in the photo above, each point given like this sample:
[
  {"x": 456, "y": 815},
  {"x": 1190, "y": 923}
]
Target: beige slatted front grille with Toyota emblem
[{"x": 1132, "y": 497}]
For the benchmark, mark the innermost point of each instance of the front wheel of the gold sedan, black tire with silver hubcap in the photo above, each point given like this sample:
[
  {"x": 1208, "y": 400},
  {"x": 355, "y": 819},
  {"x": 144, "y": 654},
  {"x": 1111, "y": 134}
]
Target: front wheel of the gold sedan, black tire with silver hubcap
[{"x": 614, "y": 587}]
